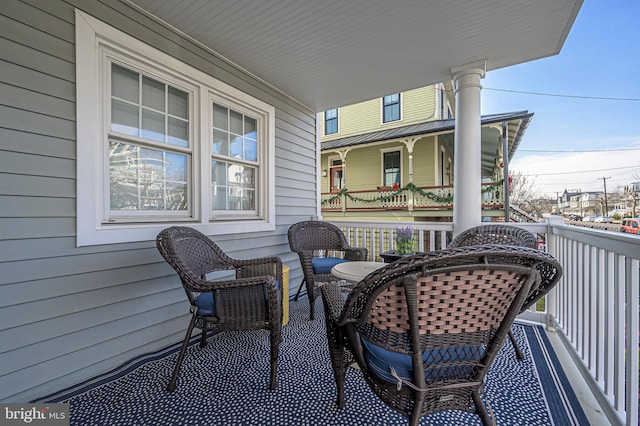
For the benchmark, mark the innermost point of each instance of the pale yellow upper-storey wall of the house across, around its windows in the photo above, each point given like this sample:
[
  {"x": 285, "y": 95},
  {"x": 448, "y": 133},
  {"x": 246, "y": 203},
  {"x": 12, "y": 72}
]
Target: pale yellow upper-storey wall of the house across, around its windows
[{"x": 417, "y": 106}]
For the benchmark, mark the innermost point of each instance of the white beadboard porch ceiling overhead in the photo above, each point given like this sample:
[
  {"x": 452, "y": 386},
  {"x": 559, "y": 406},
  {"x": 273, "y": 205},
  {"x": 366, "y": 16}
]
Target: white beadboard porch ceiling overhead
[{"x": 331, "y": 53}]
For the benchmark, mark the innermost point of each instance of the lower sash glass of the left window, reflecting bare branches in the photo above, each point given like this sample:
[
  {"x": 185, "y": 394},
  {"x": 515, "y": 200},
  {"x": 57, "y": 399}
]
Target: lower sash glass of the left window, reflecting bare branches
[{"x": 146, "y": 179}]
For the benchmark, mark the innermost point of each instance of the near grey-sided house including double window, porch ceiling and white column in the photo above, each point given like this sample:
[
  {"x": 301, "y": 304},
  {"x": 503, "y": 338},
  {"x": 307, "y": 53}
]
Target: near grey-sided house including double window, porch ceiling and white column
[{"x": 120, "y": 118}]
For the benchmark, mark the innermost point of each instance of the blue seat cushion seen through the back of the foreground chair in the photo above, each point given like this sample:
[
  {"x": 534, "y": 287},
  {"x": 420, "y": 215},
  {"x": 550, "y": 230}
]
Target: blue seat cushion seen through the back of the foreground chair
[{"x": 380, "y": 361}]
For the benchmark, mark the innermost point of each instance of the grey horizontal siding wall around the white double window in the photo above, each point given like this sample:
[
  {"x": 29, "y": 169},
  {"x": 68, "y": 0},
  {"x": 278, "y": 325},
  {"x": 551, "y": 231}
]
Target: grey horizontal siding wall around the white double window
[{"x": 69, "y": 313}]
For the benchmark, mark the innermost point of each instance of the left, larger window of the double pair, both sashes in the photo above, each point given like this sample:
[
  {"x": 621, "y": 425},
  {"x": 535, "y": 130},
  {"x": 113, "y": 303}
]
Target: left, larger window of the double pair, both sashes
[{"x": 150, "y": 147}]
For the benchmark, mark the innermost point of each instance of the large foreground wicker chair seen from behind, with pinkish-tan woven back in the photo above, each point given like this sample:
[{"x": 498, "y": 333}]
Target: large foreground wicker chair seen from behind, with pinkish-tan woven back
[{"x": 425, "y": 329}]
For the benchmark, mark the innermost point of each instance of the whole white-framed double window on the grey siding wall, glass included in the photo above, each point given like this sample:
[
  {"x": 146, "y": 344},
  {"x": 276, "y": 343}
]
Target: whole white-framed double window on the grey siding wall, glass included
[{"x": 160, "y": 142}]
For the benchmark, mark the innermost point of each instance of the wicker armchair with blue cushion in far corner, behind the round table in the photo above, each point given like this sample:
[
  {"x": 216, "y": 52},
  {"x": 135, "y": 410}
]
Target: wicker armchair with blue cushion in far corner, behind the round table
[{"x": 320, "y": 246}]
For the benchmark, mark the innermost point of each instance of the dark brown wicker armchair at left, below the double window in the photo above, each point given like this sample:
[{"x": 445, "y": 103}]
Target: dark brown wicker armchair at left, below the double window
[{"x": 251, "y": 300}]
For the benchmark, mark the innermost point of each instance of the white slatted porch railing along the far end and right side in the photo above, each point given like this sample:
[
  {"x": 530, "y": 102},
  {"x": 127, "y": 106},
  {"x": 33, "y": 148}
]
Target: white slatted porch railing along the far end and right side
[{"x": 594, "y": 308}]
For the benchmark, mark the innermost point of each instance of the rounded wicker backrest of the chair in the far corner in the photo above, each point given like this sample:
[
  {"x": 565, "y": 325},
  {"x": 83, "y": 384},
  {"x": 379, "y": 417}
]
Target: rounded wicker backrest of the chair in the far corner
[{"x": 316, "y": 235}]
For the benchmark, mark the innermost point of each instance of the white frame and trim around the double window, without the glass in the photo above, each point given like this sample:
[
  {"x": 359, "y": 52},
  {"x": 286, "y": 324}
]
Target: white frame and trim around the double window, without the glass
[{"x": 94, "y": 39}]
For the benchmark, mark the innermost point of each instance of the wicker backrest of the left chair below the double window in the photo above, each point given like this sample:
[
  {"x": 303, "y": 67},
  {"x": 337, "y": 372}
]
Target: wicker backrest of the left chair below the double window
[{"x": 192, "y": 255}]
